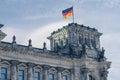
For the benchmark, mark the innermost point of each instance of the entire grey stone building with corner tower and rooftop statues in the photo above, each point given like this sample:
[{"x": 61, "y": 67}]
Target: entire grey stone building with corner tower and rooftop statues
[{"x": 75, "y": 55}]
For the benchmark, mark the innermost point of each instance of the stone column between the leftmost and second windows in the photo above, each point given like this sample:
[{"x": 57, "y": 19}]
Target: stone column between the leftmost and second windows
[{"x": 13, "y": 70}]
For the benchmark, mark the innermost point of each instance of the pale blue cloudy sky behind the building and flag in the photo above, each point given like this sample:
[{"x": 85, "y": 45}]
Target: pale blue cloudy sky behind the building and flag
[{"x": 36, "y": 19}]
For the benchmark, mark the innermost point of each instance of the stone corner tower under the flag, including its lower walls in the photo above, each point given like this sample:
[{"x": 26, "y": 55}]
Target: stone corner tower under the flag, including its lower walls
[{"x": 82, "y": 43}]
